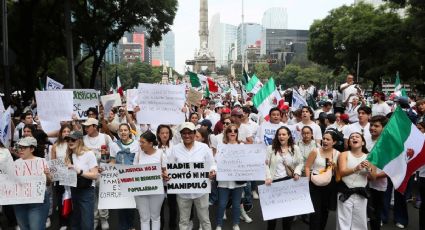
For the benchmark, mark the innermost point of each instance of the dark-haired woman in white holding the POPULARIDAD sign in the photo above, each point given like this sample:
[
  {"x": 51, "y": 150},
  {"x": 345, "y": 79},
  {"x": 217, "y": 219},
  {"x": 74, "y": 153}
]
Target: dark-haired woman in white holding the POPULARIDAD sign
[{"x": 149, "y": 206}]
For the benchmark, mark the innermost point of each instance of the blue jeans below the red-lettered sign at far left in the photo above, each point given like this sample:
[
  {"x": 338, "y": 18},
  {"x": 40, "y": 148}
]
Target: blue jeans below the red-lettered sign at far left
[{"x": 33, "y": 216}]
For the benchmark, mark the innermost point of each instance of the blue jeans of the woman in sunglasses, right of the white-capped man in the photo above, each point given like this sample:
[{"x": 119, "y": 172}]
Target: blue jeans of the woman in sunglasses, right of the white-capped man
[{"x": 223, "y": 197}]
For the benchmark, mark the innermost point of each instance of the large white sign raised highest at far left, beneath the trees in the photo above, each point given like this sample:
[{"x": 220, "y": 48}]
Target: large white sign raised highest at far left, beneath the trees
[{"x": 54, "y": 107}]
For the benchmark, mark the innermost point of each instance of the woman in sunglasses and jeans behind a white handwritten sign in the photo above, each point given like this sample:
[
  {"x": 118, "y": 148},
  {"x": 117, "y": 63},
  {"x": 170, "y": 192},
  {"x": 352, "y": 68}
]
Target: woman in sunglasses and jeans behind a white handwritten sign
[{"x": 231, "y": 189}]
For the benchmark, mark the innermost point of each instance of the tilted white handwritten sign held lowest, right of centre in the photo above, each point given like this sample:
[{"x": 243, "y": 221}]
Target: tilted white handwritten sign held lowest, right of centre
[{"x": 293, "y": 195}]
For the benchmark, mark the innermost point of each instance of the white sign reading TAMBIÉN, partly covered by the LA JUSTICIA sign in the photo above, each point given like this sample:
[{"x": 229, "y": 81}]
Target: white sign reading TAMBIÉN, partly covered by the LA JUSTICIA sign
[{"x": 110, "y": 195}]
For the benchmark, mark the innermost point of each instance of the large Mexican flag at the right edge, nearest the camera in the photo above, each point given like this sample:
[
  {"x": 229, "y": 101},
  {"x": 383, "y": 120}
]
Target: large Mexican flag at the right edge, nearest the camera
[{"x": 400, "y": 150}]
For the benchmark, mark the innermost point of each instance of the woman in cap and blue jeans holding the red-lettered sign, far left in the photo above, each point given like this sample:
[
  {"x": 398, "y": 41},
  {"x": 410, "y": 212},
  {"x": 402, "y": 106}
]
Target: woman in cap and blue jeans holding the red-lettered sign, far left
[{"x": 32, "y": 216}]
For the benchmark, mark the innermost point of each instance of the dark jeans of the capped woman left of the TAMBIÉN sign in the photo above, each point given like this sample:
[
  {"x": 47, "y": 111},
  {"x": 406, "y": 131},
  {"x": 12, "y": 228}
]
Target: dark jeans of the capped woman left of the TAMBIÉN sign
[{"x": 83, "y": 208}]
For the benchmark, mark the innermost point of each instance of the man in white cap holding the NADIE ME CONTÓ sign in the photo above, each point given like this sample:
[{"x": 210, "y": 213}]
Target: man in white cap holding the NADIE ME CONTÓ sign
[{"x": 192, "y": 151}]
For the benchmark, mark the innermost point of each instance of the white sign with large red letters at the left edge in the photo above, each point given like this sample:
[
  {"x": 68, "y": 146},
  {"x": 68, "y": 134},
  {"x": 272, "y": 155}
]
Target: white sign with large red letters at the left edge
[{"x": 23, "y": 182}]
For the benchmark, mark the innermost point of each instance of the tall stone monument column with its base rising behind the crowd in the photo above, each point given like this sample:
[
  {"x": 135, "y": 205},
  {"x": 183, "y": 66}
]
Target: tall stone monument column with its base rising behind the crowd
[{"x": 204, "y": 60}]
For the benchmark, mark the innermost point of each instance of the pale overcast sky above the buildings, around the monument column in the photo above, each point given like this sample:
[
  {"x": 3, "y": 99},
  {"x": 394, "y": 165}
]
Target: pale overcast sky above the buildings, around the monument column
[{"x": 301, "y": 14}]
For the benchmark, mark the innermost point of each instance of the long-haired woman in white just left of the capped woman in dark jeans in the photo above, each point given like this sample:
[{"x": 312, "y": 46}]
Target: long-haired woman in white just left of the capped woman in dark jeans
[{"x": 59, "y": 152}]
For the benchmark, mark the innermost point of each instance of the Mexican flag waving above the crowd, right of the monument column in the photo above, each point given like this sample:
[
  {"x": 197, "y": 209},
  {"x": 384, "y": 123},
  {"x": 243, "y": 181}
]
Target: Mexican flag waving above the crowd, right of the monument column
[{"x": 266, "y": 98}]
